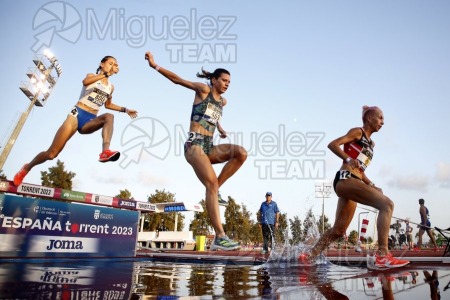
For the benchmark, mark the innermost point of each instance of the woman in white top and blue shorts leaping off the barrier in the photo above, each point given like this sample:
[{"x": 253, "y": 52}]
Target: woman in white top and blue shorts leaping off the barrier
[{"x": 96, "y": 92}]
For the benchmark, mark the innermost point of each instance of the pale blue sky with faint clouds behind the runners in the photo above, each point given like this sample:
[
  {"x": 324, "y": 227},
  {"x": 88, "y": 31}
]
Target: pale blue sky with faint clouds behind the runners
[{"x": 300, "y": 73}]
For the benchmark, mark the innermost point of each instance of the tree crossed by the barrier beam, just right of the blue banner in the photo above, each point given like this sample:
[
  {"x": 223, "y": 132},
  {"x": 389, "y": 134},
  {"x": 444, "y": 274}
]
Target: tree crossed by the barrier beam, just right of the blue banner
[{"x": 154, "y": 220}]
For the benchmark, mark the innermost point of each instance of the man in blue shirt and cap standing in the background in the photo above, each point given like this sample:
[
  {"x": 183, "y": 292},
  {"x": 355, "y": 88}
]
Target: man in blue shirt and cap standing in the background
[{"x": 268, "y": 221}]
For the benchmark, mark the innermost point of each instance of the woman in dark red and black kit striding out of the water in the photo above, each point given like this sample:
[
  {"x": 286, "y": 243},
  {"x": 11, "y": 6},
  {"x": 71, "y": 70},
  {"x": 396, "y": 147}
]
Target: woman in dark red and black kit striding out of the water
[{"x": 352, "y": 186}]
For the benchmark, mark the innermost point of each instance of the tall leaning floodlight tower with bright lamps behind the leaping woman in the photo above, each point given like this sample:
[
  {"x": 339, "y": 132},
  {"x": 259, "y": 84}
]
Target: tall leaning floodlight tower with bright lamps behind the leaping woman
[{"x": 42, "y": 79}]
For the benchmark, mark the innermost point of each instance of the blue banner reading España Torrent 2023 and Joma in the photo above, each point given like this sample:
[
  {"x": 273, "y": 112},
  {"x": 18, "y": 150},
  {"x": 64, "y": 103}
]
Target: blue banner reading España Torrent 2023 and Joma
[{"x": 42, "y": 228}]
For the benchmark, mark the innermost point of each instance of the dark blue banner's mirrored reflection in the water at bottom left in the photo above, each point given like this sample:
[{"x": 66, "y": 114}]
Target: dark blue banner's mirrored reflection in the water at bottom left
[{"x": 65, "y": 280}]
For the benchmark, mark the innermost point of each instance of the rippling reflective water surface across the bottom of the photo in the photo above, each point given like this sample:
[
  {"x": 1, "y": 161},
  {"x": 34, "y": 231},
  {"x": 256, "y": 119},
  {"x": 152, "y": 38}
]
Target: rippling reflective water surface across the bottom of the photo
[{"x": 277, "y": 279}]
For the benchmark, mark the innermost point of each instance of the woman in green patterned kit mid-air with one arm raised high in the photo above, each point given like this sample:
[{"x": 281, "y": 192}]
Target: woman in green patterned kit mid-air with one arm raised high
[{"x": 199, "y": 149}]
